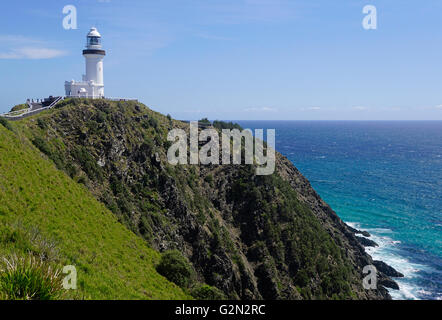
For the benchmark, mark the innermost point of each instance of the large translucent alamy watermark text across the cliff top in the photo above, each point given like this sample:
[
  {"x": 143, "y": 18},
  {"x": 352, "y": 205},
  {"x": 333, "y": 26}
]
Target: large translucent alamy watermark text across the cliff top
[{"x": 230, "y": 144}]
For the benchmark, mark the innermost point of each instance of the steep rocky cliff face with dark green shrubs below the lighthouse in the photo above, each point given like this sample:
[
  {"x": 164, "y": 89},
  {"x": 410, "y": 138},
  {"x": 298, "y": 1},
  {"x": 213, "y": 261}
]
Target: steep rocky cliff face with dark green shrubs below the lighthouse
[{"x": 251, "y": 236}]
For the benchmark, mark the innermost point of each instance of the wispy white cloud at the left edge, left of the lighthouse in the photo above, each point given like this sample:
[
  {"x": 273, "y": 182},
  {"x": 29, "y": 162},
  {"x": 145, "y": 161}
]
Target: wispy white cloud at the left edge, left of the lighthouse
[{"x": 21, "y": 47}]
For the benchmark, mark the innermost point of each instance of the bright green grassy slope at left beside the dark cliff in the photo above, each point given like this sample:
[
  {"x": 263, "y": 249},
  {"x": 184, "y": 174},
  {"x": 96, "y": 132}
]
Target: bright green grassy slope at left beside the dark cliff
[{"x": 44, "y": 213}]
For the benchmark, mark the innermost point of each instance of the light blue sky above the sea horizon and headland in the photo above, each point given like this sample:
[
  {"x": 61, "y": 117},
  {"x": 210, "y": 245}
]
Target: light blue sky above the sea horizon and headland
[{"x": 235, "y": 59}]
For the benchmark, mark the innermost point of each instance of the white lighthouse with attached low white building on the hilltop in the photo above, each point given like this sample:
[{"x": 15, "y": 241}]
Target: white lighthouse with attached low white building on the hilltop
[{"x": 92, "y": 85}]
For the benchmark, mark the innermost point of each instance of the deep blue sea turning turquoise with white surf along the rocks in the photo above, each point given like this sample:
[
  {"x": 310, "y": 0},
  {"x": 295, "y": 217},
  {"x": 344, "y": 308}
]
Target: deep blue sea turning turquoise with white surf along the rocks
[{"x": 383, "y": 177}]
